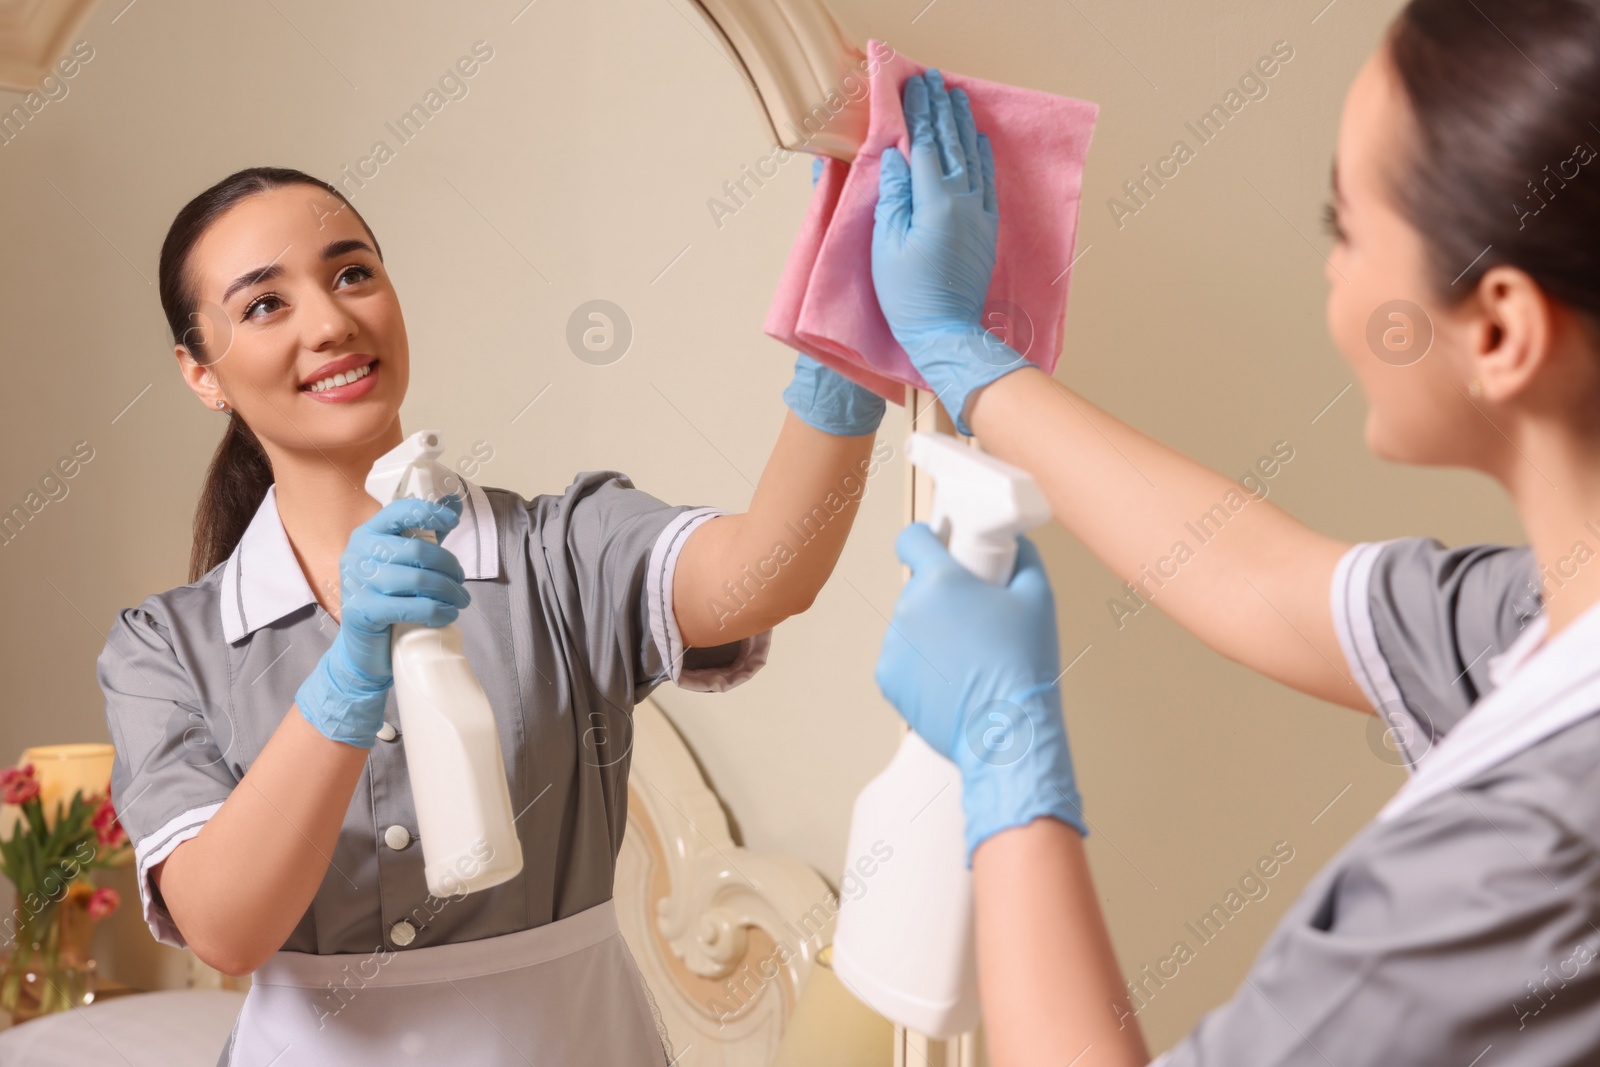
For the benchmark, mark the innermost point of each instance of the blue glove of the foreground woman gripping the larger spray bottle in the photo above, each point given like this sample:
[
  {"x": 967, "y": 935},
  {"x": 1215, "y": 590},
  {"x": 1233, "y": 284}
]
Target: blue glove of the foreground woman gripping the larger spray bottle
[{"x": 975, "y": 671}]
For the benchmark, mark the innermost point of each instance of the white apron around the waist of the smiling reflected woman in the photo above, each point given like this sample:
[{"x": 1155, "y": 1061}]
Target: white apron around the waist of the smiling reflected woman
[{"x": 567, "y": 993}]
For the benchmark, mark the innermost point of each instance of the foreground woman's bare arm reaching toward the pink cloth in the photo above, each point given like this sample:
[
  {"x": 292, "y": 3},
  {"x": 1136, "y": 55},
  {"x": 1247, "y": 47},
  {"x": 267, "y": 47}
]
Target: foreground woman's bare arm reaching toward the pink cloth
[{"x": 1233, "y": 569}]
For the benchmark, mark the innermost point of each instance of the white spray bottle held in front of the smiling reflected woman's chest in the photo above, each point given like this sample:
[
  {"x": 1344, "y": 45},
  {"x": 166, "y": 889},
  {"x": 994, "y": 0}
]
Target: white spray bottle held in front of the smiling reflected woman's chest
[{"x": 452, "y": 746}]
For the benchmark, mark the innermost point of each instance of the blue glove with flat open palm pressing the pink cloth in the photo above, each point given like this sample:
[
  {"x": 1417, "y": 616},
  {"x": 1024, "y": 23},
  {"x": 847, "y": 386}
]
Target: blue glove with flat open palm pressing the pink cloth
[{"x": 934, "y": 246}]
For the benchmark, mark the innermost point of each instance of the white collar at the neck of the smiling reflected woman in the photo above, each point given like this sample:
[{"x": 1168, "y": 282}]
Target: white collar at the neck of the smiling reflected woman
[{"x": 263, "y": 581}]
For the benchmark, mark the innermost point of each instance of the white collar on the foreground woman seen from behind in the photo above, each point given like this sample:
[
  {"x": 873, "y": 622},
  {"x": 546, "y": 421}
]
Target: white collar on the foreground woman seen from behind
[{"x": 1542, "y": 689}]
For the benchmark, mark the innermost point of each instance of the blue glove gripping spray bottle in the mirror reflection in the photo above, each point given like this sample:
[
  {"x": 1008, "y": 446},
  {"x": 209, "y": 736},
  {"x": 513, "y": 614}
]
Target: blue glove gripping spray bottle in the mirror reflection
[{"x": 385, "y": 578}]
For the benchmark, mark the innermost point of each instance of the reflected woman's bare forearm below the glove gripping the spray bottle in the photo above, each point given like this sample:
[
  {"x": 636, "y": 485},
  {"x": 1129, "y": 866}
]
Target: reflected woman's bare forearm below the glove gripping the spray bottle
[{"x": 239, "y": 887}]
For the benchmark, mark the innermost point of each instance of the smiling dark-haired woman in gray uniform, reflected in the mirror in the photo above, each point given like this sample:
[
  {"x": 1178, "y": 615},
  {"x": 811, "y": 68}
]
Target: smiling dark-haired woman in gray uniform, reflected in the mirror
[{"x": 260, "y": 769}]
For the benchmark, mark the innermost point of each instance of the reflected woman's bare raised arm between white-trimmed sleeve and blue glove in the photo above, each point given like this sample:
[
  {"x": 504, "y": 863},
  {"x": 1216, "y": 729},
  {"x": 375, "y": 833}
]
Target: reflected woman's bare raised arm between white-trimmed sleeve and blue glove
[{"x": 740, "y": 575}]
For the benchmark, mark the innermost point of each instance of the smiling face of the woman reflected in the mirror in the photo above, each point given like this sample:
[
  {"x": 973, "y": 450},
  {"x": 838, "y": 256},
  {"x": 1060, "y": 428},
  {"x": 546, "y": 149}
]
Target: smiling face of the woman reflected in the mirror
[{"x": 278, "y": 340}]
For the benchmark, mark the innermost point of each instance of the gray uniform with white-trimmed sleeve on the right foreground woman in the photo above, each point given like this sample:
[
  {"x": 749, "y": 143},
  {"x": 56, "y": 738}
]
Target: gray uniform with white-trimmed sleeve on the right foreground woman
[{"x": 1460, "y": 929}]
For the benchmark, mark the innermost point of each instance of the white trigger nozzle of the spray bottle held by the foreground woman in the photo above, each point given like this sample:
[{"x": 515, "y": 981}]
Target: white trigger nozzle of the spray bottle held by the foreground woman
[{"x": 982, "y": 503}]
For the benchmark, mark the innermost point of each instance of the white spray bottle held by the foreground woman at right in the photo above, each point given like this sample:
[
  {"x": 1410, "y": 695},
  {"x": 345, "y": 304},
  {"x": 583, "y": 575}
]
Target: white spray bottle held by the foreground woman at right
[{"x": 905, "y": 945}]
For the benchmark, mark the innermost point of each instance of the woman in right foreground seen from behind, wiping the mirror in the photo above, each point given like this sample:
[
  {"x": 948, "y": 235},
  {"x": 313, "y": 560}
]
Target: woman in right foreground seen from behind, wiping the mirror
[{"x": 1463, "y": 925}]
